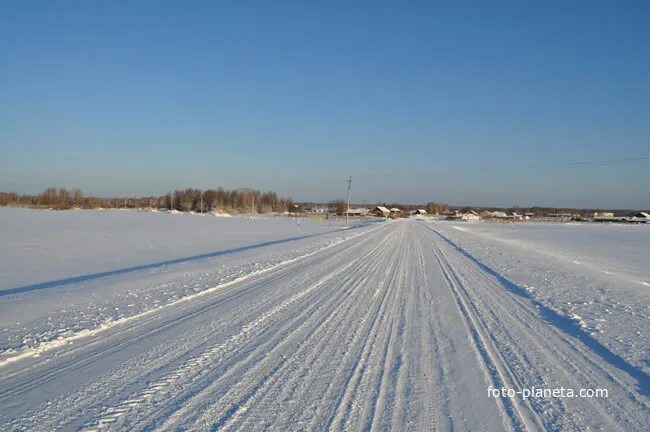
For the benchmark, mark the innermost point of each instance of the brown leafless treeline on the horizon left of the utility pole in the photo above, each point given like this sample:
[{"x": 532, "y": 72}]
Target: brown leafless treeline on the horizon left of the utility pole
[{"x": 236, "y": 201}]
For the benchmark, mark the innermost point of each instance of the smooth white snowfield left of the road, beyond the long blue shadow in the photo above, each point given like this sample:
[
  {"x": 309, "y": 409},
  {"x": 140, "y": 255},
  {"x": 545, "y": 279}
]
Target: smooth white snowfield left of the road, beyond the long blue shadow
[{"x": 42, "y": 246}]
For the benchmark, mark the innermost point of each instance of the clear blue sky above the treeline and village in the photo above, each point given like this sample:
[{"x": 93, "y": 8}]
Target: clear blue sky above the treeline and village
[{"x": 485, "y": 103}]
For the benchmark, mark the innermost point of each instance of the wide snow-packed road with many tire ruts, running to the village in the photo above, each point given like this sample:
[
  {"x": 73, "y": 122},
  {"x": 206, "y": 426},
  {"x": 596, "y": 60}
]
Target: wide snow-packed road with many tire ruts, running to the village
[{"x": 395, "y": 329}]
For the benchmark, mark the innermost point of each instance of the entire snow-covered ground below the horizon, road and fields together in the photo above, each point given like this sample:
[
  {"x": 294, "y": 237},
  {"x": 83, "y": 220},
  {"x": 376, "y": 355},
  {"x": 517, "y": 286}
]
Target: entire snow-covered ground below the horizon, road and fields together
[{"x": 137, "y": 321}]
